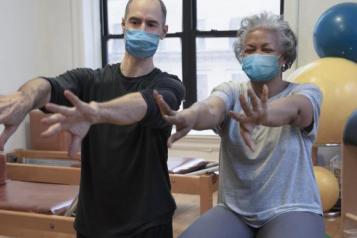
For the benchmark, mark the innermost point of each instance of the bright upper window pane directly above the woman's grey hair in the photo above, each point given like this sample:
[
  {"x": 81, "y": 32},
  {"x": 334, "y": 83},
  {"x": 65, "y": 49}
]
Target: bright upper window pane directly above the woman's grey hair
[{"x": 227, "y": 14}]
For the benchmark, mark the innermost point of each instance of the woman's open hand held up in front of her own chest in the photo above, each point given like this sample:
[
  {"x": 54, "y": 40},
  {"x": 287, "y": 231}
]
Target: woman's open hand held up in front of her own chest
[{"x": 253, "y": 115}]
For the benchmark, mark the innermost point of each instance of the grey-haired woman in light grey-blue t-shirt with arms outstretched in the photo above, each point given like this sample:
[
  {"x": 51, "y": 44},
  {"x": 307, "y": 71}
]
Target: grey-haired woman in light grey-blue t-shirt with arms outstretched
[{"x": 267, "y": 127}]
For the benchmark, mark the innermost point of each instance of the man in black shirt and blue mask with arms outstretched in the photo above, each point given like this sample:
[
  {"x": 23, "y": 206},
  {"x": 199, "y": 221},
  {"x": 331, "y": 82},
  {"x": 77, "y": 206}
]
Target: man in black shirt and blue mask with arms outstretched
[{"x": 125, "y": 188}]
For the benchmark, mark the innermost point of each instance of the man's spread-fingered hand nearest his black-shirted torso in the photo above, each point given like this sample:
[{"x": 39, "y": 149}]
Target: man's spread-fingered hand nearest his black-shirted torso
[{"x": 75, "y": 120}]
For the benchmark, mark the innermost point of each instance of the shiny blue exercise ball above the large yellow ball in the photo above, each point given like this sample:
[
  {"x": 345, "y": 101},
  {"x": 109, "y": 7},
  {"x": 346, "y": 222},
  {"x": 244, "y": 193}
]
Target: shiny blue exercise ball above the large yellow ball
[{"x": 335, "y": 32}]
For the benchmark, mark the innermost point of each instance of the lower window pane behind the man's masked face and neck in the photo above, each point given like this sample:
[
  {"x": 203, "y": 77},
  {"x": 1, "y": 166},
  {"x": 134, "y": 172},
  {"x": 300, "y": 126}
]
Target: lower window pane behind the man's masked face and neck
[{"x": 167, "y": 57}]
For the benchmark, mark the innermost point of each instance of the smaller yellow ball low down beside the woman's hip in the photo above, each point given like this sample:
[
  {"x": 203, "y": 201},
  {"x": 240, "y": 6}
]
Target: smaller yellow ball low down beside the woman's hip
[{"x": 328, "y": 186}]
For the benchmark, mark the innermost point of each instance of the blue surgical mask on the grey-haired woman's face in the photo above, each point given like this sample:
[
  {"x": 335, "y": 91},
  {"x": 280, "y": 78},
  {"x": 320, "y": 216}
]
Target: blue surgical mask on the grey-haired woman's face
[{"x": 261, "y": 68}]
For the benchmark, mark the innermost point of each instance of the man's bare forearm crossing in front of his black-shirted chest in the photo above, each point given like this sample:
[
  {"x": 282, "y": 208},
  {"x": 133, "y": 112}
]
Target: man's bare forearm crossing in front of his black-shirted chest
[{"x": 125, "y": 110}]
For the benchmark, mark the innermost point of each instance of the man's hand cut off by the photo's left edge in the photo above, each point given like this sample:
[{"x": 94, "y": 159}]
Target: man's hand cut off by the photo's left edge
[{"x": 13, "y": 109}]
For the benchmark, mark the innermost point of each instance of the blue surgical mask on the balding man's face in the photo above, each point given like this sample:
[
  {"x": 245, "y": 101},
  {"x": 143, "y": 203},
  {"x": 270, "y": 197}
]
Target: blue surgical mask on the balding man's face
[{"x": 141, "y": 44}]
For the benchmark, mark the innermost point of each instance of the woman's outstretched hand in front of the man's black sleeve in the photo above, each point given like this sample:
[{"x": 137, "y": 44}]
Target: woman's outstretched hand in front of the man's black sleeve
[{"x": 183, "y": 120}]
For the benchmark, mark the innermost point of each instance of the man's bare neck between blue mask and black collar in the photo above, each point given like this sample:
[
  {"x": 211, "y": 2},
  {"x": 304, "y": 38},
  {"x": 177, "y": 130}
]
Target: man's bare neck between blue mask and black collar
[{"x": 134, "y": 67}]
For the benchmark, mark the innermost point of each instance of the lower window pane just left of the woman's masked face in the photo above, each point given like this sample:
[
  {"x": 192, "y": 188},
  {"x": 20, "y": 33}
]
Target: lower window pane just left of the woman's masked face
[{"x": 216, "y": 63}]
